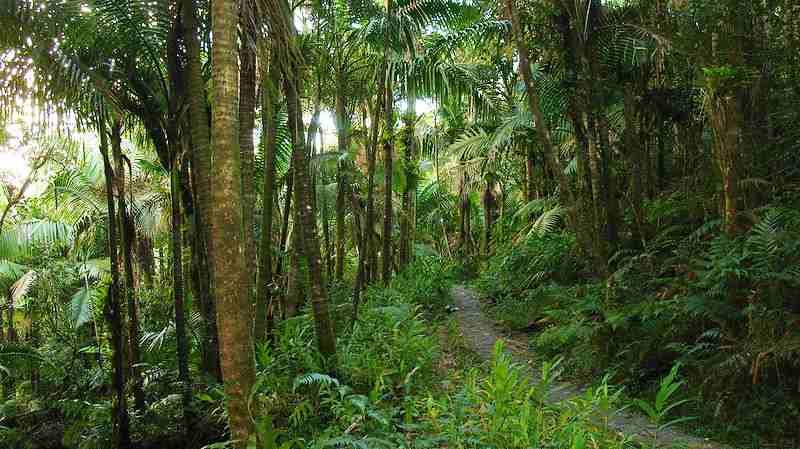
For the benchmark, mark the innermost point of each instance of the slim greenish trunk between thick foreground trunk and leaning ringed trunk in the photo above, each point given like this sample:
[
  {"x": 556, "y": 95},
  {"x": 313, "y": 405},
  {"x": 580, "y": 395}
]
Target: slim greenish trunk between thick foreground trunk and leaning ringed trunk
[{"x": 269, "y": 93}]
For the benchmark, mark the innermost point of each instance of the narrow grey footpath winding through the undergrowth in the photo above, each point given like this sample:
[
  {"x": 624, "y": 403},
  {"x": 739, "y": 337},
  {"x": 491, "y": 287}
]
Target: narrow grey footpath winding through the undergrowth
[{"x": 481, "y": 335}]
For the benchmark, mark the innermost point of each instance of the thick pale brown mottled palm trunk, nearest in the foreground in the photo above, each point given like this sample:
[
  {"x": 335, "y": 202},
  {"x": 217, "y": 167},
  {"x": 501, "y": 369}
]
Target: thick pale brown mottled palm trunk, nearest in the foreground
[{"x": 230, "y": 274}]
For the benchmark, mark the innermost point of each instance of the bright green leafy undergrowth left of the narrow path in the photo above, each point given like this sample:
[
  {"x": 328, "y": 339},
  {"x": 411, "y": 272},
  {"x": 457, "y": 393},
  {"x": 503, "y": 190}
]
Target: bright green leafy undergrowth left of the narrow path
[{"x": 405, "y": 380}]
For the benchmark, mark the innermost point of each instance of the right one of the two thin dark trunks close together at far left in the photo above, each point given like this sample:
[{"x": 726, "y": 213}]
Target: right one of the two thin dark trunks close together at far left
[{"x": 127, "y": 259}]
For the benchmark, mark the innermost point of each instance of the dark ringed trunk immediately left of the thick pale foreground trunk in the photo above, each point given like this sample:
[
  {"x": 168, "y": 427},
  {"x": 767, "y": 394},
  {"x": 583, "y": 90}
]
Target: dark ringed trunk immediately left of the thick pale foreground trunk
[{"x": 201, "y": 179}]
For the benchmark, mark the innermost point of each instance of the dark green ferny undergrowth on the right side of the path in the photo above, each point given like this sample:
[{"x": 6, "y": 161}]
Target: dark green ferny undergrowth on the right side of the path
[{"x": 726, "y": 309}]
